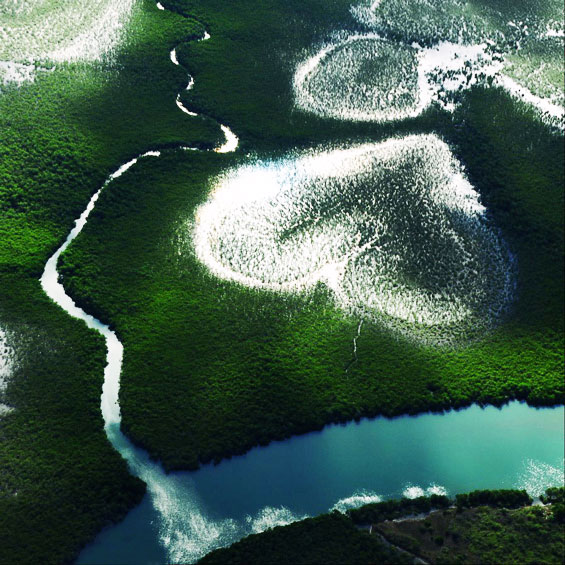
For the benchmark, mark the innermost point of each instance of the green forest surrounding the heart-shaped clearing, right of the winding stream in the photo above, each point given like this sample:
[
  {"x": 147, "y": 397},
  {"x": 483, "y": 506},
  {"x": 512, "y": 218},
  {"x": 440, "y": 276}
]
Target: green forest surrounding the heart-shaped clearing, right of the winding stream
[{"x": 211, "y": 368}]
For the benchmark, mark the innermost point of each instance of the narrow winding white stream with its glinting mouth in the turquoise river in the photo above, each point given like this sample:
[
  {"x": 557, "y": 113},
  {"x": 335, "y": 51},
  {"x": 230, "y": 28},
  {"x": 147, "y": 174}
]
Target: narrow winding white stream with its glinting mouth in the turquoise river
[{"x": 184, "y": 531}]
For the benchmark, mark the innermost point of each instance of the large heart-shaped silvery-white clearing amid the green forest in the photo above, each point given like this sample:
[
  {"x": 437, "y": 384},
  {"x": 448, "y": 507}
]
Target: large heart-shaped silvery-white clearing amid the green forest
[{"x": 394, "y": 229}]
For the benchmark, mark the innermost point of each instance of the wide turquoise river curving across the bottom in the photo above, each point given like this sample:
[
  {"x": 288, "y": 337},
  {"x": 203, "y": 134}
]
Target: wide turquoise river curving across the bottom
[{"x": 190, "y": 514}]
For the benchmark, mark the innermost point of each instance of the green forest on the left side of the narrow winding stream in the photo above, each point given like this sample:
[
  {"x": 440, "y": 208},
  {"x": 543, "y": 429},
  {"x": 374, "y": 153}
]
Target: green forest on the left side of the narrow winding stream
[{"x": 60, "y": 480}]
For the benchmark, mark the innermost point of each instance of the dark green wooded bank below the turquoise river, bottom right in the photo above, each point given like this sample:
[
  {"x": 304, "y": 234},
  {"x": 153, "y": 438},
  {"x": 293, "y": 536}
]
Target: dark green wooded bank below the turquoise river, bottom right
[{"x": 492, "y": 533}]
